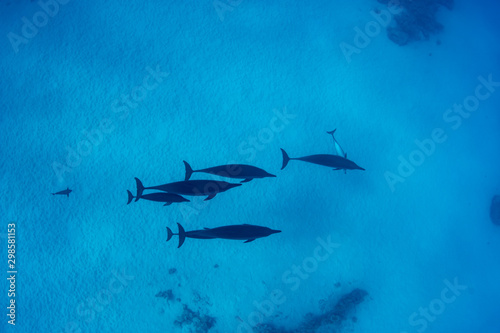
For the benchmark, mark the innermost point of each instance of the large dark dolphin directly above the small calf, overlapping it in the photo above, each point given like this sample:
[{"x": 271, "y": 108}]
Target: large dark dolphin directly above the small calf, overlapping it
[{"x": 189, "y": 187}]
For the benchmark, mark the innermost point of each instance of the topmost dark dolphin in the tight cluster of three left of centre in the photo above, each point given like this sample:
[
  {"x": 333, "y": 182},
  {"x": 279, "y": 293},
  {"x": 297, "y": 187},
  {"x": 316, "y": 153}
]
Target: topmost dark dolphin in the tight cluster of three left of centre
[{"x": 240, "y": 171}]
